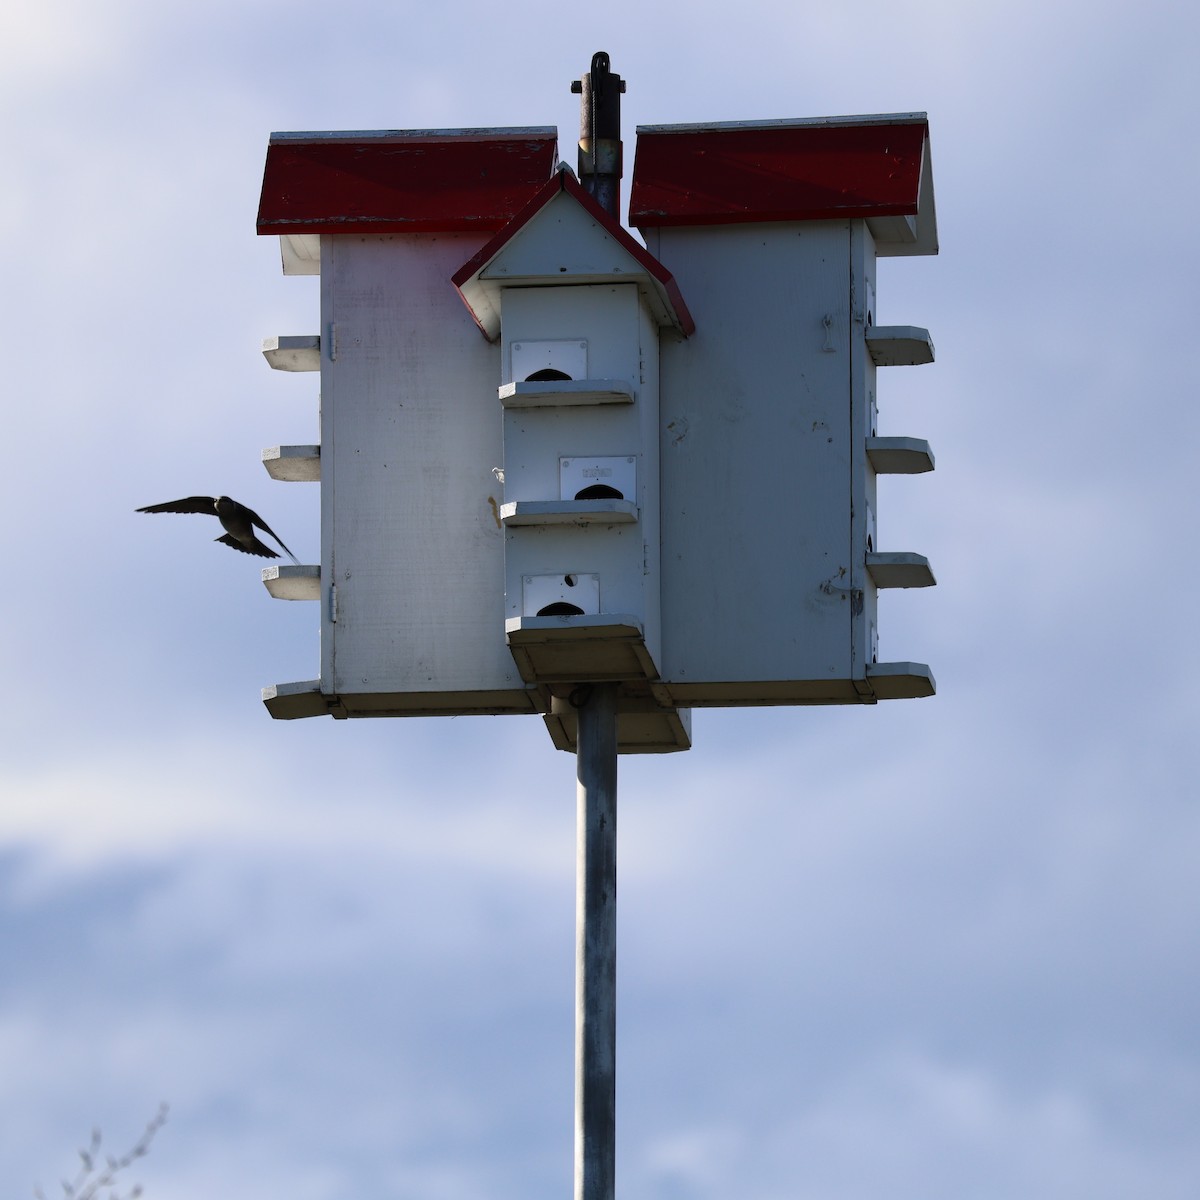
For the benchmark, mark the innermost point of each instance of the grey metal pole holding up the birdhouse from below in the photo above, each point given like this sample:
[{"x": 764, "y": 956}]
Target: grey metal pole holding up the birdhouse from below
[{"x": 596, "y": 946}]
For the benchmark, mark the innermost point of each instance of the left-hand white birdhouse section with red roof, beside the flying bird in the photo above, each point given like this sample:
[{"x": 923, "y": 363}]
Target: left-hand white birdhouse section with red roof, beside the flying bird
[{"x": 411, "y": 583}]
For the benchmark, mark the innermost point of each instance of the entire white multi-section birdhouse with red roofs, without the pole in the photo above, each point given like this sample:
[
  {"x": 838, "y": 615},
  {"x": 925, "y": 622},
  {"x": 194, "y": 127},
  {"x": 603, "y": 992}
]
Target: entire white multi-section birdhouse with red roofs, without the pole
[{"x": 553, "y": 457}]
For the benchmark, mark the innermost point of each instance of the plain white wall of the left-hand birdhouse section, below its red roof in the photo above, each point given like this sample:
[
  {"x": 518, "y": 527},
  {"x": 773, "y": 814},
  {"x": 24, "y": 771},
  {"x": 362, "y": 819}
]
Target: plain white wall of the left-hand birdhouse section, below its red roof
[{"x": 412, "y": 532}]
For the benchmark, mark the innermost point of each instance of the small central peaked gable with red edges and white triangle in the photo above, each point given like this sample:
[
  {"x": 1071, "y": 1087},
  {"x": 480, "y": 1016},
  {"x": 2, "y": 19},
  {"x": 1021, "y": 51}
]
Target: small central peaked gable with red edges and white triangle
[{"x": 563, "y": 237}]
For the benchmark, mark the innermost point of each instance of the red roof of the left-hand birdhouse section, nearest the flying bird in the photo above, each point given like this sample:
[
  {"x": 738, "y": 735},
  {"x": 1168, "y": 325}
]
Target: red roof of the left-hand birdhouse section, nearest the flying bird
[{"x": 403, "y": 181}]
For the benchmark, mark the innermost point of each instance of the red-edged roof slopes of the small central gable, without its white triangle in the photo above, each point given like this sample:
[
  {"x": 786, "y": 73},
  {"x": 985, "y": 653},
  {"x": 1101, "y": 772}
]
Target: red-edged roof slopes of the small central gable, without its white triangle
[{"x": 481, "y": 292}]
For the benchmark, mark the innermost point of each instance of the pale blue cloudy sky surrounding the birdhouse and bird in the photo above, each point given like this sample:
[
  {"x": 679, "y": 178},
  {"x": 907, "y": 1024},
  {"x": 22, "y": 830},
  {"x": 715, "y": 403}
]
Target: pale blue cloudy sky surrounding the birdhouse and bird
[{"x": 931, "y": 950}]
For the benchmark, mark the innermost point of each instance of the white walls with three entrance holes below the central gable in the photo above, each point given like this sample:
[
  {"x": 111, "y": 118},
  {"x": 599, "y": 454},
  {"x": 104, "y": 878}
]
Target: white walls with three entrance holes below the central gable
[{"x": 581, "y": 469}]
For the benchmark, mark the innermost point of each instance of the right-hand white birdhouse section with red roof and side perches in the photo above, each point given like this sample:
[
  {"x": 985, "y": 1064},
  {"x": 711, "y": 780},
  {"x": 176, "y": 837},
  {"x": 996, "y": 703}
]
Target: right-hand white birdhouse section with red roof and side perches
[{"x": 772, "y": 548}]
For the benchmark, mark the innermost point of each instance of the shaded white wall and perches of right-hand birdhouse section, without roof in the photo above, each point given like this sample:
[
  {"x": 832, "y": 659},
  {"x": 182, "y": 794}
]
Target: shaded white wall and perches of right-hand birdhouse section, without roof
[{"x": 769, "y": 485}]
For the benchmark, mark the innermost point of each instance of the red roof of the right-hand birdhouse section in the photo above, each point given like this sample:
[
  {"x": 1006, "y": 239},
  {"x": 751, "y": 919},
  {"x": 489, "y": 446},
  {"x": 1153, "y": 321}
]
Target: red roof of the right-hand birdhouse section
[{"x": 875, "y": 169}]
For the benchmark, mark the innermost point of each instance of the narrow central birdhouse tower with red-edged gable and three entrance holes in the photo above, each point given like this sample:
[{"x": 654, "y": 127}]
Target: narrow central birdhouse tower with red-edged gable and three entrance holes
[{"x": 579, "y": 308}]
